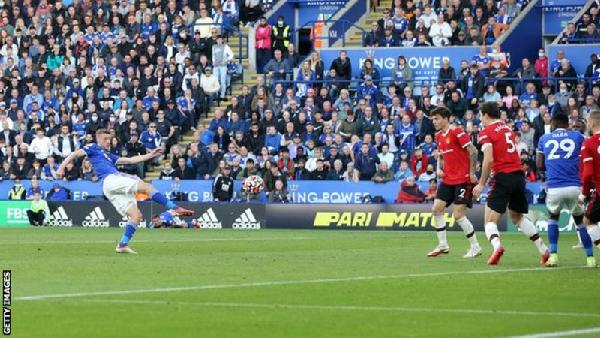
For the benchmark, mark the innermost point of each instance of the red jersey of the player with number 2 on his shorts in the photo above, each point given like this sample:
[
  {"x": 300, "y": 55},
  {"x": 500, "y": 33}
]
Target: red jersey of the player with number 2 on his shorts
[{"x": 452, "y": 145}]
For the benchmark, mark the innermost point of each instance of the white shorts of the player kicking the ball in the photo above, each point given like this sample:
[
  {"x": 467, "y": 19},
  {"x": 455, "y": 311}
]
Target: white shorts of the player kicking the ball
[{"x": 120, "y": 190}]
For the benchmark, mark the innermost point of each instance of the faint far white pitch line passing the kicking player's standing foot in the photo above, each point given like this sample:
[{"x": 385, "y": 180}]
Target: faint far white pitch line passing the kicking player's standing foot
[{"x": 16, "y": 242}]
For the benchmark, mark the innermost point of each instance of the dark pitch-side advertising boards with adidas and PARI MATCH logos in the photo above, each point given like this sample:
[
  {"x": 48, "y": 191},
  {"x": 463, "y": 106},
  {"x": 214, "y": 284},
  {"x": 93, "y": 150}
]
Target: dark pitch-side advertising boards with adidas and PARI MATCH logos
[{"x": 399, "y": 217}]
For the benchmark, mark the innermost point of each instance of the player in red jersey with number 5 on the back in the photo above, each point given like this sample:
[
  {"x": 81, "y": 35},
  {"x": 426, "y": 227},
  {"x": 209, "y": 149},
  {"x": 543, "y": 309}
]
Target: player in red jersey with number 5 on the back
[{"x": 507, "y": 186}]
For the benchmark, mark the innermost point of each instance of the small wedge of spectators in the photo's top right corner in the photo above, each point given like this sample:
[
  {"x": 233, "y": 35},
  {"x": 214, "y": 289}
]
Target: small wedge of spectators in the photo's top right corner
[{"x": 586, "y": 30}]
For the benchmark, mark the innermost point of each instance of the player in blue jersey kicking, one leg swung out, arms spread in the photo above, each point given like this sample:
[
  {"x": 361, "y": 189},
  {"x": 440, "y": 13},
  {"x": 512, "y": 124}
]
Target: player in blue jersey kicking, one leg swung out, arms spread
[{"x": 119, "y": 188}]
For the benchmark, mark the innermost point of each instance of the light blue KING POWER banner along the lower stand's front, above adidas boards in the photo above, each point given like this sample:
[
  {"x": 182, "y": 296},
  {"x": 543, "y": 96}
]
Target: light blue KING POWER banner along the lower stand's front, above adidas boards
[{"x": 301, "y": 191}]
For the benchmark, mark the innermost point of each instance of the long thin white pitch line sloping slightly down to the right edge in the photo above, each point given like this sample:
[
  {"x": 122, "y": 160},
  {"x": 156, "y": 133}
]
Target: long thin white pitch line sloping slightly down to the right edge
[{"x": 346, "y": 308}]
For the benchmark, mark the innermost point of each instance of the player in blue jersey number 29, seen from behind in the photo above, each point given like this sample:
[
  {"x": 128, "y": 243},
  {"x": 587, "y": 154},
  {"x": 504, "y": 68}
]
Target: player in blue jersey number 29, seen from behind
[{"x": 558, "y": 156}]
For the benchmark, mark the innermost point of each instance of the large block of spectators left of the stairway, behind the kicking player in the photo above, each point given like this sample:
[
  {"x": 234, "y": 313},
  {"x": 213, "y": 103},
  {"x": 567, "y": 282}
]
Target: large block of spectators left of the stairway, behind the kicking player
[{"x": 146, "y": 70}]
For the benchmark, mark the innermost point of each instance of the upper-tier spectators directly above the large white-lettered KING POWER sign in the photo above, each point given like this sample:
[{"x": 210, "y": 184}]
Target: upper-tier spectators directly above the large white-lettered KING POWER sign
[{"x": 443, "y": 23}]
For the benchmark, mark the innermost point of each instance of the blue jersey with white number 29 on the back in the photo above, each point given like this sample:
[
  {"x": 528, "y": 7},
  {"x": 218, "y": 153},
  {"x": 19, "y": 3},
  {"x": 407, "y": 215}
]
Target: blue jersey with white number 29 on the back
[{"x": 561, "y": 155}]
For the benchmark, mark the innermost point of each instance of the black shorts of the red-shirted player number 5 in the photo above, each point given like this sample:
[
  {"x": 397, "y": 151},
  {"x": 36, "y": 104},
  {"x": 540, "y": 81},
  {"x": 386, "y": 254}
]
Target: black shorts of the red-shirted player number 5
[{"x": 508, "y": 189}]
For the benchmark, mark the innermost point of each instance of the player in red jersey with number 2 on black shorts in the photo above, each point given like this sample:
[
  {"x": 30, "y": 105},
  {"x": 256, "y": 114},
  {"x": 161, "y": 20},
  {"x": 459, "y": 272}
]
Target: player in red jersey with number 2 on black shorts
[{"x": 456, "y": 169}]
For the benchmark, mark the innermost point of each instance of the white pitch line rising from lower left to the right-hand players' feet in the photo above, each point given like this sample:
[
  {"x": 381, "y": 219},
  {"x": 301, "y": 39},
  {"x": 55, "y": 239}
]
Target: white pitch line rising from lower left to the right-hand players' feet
[{"x": 279, "y": 283}]
